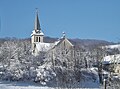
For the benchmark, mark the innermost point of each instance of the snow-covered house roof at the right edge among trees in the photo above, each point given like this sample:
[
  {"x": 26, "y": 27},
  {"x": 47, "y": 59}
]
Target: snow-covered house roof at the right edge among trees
[{"x": 111, "y": 59}]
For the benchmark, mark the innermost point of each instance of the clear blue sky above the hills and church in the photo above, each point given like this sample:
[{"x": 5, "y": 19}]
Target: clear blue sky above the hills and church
[{"x": 84, "y": 19}]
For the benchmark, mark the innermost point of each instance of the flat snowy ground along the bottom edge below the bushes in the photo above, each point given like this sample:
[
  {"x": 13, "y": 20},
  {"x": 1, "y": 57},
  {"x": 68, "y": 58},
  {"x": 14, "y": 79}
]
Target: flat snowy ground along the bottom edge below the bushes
[{"x": 24, "y": 85}]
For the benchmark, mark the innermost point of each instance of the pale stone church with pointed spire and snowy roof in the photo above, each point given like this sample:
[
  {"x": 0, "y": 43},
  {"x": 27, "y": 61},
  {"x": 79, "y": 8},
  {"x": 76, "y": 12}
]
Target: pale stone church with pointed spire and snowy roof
[{"x": 61, "y": 46}]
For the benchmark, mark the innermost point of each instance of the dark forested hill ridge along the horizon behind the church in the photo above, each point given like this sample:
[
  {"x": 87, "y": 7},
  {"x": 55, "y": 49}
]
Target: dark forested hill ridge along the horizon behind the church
[{"x": 85, "y": 42}]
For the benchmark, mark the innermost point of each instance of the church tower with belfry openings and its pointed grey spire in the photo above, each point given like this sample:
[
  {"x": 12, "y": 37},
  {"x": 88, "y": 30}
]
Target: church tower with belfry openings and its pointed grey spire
[{"x": 37, "y": 34}]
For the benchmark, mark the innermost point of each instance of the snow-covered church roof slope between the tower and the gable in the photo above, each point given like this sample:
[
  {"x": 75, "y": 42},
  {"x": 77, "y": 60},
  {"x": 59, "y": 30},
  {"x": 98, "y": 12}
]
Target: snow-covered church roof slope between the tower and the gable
[{"x": 44, "y": 46}]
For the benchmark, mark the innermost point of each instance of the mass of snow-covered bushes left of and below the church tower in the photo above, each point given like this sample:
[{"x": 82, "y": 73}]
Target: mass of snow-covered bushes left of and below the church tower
[{"x": 17, "y": 63}]
